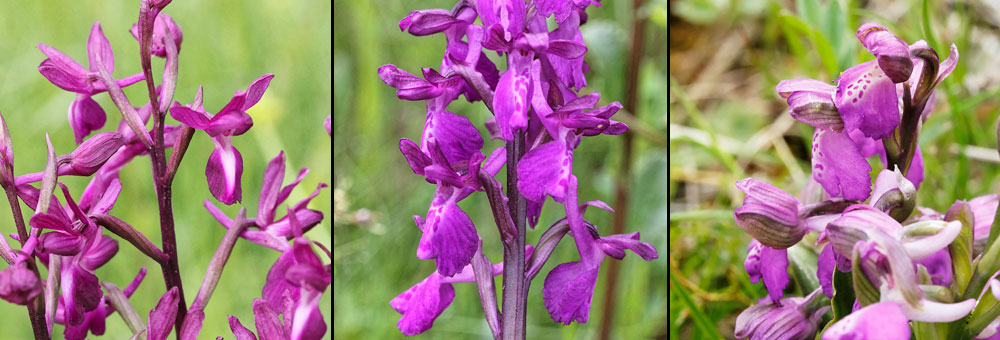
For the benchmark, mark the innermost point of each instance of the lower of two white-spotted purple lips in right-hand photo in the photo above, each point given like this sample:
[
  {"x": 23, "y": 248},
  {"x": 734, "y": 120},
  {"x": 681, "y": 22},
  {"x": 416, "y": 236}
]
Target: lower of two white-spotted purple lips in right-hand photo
[{"x": 839, "y": 167}]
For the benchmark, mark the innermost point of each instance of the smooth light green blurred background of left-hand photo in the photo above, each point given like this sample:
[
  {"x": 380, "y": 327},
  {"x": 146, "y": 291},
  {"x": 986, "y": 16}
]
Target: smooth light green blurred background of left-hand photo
[{"x": 227, "y": 44}]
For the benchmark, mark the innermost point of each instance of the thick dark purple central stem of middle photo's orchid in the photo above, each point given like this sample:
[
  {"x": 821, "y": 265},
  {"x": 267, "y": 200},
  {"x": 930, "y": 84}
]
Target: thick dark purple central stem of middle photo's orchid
[{"x": 514, "y": 293}]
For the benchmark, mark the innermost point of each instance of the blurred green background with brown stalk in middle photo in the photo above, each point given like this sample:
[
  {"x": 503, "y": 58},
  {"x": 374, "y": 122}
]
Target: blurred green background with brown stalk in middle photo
[{"x": 376, "y": 194}]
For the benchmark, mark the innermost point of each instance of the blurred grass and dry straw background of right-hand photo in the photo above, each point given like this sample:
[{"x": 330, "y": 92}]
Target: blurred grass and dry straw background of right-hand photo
[{"x": 728, "y": 123}]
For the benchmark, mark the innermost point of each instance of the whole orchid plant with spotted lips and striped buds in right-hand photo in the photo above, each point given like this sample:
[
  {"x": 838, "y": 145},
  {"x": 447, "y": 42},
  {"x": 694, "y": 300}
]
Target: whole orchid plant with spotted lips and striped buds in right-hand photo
[{"x": 900, "y": 265}]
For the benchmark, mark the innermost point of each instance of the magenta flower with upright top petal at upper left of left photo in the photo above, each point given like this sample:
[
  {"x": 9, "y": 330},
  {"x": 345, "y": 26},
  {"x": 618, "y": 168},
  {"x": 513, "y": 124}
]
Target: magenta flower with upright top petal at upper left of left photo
[{"x": 85, "y": 115}]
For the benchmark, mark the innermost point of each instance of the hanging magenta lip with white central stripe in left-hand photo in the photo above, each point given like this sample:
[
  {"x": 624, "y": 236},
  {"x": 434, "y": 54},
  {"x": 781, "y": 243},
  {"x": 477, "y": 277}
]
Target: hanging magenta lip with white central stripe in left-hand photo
[{"x": 224, "y": 170}]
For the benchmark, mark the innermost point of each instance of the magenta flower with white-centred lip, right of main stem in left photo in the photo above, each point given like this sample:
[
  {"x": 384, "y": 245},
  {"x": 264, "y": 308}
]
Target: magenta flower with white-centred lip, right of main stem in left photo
[{"x": 225, "y": 165}]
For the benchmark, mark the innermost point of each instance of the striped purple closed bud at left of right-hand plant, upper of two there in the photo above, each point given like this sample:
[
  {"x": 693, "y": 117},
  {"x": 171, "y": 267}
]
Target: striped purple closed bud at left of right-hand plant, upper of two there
[{"x": 769, "y": 214}]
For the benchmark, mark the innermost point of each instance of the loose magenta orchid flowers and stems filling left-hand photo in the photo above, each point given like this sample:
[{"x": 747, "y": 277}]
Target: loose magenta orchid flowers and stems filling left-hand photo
[{"x": 70, "y": 237}]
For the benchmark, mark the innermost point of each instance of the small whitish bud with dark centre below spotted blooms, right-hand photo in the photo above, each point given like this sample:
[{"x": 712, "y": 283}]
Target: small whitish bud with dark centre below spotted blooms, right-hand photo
[{"x": 894, "y": 194}]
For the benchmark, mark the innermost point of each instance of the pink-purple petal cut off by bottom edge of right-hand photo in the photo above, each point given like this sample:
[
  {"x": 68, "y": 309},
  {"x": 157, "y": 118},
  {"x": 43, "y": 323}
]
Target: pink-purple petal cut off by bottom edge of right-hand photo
[{"x": 883, "y": 320}]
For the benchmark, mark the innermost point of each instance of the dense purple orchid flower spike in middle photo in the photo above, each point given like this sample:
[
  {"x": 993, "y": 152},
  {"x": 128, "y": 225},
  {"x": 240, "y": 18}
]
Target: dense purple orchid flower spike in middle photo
[{"x": 540, "y": 116}]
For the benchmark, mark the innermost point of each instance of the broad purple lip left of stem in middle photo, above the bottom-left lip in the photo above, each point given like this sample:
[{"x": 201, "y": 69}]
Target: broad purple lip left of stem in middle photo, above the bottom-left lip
[{"x": 455, "y": 240}]
